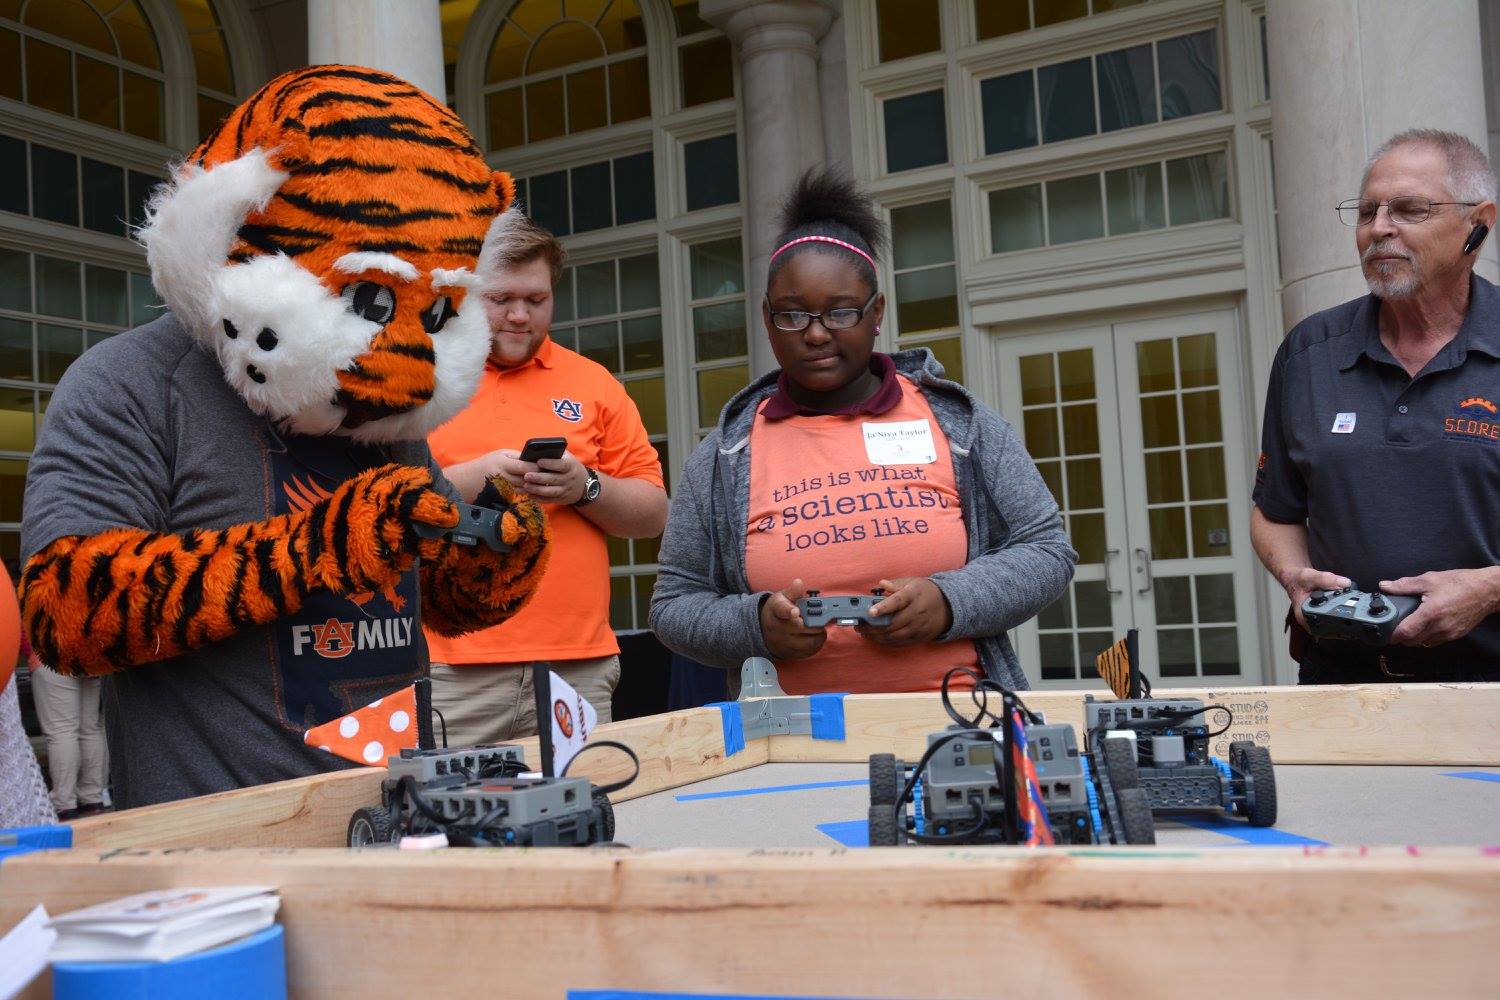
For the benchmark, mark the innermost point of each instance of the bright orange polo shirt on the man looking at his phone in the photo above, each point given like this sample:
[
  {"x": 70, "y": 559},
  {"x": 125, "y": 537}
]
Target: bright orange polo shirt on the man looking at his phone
[{"x": 557, "y": 394}]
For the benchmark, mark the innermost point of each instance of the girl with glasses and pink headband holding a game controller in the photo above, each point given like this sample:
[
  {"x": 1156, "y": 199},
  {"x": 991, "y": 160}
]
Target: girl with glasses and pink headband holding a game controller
[{"x": 851, "y": 472}]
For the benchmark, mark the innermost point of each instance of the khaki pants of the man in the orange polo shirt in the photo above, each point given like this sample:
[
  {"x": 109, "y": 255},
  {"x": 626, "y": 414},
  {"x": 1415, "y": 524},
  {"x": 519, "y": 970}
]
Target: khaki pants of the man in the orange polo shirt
[{"x": 496, "y": 702}]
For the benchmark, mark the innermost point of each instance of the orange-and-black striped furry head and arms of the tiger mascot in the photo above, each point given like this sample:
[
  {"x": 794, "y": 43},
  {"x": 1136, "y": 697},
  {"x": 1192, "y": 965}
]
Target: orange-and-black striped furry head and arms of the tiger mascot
[{"x": 322, "y": 244}]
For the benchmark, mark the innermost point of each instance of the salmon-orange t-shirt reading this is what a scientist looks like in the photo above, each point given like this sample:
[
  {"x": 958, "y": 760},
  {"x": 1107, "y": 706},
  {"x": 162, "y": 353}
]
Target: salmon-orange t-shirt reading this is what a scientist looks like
[{"x": 842, "y": 503}]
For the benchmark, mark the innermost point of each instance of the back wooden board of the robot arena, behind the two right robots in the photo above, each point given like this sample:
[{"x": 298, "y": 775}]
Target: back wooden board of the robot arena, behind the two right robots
[{"x": 1358, "y": 725}]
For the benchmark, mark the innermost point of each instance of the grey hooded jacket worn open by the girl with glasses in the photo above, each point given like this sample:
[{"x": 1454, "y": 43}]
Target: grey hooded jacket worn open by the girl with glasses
[{"x": 1019, "y": 555}]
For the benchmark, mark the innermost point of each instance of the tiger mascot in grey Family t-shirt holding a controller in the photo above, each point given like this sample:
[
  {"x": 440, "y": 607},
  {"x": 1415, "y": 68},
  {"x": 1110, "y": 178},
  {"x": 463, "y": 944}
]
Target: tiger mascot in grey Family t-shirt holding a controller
[{"x": 223, "y": 509}]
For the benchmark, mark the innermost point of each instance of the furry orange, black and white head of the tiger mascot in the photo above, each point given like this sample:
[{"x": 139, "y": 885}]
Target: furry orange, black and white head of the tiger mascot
[{"x": 323, "y": 244}]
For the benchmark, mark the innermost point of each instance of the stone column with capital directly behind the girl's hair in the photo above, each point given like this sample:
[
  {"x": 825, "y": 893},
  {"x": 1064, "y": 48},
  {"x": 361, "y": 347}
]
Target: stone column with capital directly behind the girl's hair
[{"x": 784, "y": 125}]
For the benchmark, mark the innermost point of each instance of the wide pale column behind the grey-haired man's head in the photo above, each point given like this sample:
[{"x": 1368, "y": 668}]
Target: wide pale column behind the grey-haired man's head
[{"x": 1346, "y": 77}]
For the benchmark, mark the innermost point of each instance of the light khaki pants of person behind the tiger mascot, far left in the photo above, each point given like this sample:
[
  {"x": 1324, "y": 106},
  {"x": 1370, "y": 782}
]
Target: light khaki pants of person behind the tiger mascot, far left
[{"x": 68, "y": 710}]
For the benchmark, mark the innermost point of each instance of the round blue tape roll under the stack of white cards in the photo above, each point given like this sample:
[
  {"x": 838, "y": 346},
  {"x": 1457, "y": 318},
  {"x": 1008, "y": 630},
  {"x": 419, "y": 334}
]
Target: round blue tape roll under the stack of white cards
[{"x": 250, "y": 969}]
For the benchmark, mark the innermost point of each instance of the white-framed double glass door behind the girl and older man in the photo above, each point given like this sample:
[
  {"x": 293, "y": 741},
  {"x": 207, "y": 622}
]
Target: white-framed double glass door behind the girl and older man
[{"x": 1136, "y": 431}]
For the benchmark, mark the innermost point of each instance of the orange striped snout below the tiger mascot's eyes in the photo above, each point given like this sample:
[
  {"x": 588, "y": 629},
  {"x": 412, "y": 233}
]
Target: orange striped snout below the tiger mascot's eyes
[{"x": 397, "y": 376}]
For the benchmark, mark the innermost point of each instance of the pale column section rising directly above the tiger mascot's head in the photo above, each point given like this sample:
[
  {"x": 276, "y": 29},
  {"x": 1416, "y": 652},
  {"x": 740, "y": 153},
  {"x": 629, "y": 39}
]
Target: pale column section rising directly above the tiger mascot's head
[{"x": 398, "y": 37}]
